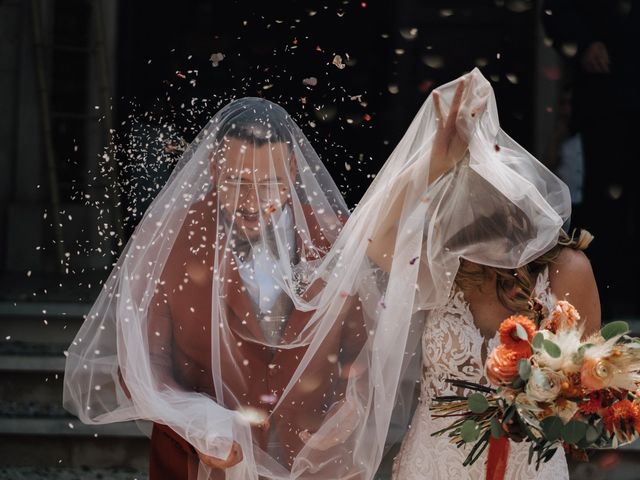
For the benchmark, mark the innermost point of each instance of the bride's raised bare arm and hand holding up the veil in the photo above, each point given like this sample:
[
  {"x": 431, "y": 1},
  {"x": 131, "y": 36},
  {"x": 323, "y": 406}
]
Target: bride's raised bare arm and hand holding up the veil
[{"x": 448, "y": 149}]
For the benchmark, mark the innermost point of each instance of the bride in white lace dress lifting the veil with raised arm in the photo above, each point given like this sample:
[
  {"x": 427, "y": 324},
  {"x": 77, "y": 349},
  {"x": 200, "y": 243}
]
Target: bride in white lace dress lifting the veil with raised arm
[{"x": 459, "y": 332}]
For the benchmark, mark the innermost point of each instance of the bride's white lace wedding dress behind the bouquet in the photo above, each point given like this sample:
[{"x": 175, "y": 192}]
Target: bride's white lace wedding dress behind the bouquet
[{"x": 453, "y": 347}]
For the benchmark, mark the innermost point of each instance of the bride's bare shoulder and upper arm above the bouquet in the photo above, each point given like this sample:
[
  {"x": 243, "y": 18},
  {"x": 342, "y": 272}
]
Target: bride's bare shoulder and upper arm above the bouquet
[{"x": 571, "y": 279}]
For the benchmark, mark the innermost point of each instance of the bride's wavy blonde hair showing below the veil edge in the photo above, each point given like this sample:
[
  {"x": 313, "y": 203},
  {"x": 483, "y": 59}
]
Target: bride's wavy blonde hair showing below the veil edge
[{"x": 515, "y": 286}]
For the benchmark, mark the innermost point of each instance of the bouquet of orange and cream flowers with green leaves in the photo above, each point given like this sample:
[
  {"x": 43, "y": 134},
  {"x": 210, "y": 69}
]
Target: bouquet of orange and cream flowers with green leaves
[{"x": 552, "y": 388}]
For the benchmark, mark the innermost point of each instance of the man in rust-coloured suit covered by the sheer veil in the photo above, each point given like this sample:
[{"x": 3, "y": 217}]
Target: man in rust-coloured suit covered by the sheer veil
[{"x": 211, "y": 325}]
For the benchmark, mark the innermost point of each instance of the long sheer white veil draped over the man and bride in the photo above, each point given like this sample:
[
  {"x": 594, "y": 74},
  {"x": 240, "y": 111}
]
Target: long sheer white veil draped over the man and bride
[{"x": 244, "y": 308}]
